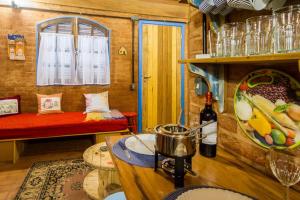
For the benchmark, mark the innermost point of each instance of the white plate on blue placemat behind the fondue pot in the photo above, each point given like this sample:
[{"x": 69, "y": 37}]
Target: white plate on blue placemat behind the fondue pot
[{"x": 136, "y": 146}]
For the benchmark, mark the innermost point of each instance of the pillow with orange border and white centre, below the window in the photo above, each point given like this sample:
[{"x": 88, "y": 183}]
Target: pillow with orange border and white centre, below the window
[{"x": 49, "y": 103}]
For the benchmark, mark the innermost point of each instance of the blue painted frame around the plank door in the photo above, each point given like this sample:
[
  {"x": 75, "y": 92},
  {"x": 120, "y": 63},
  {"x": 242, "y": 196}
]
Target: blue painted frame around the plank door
[{"x": 140, "y": 67}]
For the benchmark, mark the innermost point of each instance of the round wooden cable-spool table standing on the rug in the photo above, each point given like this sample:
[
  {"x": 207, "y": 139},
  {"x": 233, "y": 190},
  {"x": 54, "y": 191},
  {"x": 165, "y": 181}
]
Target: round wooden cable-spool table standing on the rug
[{"x": 104, "y": 180}]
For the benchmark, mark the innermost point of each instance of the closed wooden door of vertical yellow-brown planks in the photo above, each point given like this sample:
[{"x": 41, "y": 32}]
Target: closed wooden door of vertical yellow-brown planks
[{"x": 161, "y": 74}]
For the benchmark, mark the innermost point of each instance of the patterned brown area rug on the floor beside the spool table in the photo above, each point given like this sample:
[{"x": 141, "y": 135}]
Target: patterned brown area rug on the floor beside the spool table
[{"x": 55, "y": 180}]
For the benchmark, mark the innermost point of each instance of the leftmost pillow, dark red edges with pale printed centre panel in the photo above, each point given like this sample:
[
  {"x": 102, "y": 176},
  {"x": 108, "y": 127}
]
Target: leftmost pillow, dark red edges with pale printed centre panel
[{"x": 10, "y": 106}]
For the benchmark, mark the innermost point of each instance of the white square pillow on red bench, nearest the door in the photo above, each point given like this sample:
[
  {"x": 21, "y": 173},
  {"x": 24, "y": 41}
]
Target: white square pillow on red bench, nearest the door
[{"x": 96, "y": 102}]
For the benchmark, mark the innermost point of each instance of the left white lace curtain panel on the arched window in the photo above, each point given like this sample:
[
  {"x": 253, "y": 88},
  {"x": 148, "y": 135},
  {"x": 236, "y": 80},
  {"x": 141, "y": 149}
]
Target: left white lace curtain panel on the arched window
[{"x": 56, "y": 61}]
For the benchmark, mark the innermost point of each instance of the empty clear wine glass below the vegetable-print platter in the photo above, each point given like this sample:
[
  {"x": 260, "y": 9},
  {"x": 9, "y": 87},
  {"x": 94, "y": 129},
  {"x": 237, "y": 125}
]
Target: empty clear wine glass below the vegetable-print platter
[{"x": 285, "y": 165}]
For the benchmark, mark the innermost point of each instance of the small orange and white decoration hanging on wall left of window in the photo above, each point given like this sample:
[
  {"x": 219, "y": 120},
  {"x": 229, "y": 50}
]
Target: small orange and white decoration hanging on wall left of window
[{"x": 16, "y": 47}]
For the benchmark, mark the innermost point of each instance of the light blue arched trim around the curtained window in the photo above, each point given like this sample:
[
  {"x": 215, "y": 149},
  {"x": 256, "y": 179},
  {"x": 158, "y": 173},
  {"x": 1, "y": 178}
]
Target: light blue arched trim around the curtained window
[{"x": 37, "y": 36}]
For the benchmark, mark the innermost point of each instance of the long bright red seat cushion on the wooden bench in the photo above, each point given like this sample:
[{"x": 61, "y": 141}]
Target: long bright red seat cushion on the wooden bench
[{"x": 31, "y": 125}]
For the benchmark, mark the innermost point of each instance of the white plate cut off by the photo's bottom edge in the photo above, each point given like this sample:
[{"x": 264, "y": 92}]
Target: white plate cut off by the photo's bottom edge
[{"x": 211, "y": 194}]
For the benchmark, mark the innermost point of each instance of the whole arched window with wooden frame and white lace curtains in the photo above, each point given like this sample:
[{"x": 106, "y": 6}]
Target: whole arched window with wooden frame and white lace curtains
[{"x": 72, "y": 51}]
